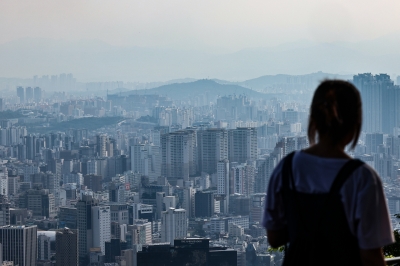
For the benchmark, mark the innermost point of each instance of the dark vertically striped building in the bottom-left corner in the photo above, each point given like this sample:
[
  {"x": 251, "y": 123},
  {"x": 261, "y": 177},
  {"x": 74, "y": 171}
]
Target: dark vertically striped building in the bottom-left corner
[{"x": 19, "y": 244}]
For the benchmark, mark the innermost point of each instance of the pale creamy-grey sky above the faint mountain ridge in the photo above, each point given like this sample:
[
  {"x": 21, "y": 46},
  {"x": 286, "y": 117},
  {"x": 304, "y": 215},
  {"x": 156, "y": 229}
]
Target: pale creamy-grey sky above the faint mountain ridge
[{"x": 227, "y": 24}]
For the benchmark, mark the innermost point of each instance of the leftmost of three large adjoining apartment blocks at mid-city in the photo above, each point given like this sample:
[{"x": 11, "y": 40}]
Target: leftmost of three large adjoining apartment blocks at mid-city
[{"x": 179, "y": 154}]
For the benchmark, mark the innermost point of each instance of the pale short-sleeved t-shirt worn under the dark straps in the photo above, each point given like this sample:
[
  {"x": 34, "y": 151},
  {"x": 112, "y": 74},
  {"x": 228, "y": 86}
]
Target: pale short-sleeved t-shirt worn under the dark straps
[{"x": 362, "y": 196}]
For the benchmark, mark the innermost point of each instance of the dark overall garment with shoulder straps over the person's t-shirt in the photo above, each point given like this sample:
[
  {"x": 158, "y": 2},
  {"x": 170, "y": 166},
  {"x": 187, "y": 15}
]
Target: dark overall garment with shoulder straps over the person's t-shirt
[{"x": 318, "y": 229}]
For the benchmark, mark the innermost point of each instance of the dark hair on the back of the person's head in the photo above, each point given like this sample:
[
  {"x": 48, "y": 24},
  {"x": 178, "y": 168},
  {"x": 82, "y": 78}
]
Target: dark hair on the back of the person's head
[{"x": 336, "y": 111}]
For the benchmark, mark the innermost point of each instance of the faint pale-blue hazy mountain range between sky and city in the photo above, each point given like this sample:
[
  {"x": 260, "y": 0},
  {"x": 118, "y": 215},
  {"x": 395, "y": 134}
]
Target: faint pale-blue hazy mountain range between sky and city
[{"x": 92, "y": 60}]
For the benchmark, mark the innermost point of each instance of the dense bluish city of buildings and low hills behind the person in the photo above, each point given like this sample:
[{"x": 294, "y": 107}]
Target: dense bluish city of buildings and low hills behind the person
[{"x": 168, "y": 174}]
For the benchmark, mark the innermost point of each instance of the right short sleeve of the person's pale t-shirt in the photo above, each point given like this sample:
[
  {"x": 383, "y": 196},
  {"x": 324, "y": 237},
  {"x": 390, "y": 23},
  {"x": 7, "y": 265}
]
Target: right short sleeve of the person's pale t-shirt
[{"x": 367, "y": 210}]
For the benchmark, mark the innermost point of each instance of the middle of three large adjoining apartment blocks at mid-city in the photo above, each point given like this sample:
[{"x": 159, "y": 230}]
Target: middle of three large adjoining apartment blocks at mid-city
[{"x": 213, "y": 147}]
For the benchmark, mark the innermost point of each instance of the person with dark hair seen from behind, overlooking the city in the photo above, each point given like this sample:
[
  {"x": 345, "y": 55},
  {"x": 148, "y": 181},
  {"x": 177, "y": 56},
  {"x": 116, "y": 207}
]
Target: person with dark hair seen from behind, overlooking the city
[{"x": 324, "y": 206}]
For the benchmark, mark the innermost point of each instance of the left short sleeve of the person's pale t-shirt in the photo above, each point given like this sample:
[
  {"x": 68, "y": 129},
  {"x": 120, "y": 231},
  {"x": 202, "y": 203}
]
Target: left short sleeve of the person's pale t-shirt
[{"x": 274, "y": 215}]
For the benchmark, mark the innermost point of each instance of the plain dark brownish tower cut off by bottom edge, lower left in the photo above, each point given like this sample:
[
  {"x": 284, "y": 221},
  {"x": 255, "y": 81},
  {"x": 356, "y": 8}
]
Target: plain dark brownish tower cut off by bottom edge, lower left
[{"x": 67, "y": 251}]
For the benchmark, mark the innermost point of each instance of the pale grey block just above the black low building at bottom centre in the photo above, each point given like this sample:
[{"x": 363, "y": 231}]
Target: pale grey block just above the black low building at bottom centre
[{"x": 173, "y": 225}]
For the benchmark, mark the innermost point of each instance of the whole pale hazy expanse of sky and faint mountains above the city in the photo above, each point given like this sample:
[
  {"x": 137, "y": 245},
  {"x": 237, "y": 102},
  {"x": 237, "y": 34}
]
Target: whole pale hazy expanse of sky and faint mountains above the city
[{"x": 163, "y": 40}]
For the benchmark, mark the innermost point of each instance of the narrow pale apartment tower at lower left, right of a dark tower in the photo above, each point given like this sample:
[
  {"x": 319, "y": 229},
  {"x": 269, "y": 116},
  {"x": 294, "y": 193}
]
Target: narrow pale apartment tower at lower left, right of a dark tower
[{"x": 101, "y": 226}]
